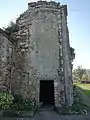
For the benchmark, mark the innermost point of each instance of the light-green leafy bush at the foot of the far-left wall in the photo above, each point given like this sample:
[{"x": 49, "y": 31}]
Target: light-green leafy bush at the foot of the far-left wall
[{"x": 5, "y": 100}]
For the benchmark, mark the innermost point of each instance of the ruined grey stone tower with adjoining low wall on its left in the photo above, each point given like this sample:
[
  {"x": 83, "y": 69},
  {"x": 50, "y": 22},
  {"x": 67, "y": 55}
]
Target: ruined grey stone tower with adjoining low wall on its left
[{"x": 38, "y": 64}]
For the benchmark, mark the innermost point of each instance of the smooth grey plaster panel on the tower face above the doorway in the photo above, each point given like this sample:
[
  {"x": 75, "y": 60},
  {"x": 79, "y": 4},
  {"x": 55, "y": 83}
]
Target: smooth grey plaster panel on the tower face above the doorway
[{"x": 44, "y": 39}]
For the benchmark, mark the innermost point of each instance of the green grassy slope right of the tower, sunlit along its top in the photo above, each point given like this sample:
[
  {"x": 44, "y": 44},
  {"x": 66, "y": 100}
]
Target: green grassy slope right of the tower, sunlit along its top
[{"x": 84, "y": 91}]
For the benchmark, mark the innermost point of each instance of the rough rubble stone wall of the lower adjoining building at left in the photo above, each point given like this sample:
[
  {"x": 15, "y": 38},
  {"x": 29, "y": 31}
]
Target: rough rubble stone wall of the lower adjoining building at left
[{"x": 4, "y": 62}]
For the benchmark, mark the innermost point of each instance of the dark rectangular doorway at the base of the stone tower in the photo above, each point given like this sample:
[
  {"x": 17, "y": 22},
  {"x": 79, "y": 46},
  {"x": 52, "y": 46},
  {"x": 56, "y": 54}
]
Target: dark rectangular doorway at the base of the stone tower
[{"x": 47, "y": 92}]
